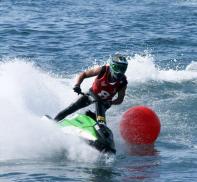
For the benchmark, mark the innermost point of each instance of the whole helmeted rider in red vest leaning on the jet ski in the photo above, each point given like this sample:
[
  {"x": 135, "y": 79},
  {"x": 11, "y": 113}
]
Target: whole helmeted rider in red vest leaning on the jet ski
[{"x": 110, "y": 80}]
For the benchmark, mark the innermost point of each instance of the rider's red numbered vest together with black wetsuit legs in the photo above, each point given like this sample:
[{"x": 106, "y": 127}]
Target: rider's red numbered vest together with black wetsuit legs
[{"x": 101, "y": 88}]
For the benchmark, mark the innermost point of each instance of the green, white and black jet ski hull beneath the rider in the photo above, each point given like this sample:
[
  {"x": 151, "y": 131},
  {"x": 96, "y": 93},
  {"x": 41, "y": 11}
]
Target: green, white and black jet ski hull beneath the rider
[{"x": 87, "y": 128}]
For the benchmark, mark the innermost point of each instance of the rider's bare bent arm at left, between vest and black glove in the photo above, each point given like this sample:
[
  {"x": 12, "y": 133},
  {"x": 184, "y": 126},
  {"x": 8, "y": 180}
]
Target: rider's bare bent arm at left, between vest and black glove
[{"x": 86, "y": 74}]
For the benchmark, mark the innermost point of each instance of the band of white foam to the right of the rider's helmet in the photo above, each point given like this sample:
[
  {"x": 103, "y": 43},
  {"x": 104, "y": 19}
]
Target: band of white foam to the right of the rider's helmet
[{"x": 143, "y": 68}]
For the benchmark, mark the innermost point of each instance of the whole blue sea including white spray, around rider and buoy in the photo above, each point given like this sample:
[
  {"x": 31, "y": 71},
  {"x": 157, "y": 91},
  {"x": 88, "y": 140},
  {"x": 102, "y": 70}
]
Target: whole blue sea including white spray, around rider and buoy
[{"x": 45, "y": 44}]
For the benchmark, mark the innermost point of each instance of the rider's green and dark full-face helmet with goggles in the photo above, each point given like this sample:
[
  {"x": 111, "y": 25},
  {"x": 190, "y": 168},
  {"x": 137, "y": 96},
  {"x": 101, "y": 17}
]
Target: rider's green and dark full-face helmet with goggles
[{"x": 118, "y": 65}]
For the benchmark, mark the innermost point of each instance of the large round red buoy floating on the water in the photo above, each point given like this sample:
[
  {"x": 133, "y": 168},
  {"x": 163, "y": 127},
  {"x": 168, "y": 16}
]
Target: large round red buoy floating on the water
[{"x": 140, "y": 125}]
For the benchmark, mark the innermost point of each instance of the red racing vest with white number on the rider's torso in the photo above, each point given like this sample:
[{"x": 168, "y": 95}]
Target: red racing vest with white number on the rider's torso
[{"x": 103, "y": 88}]
